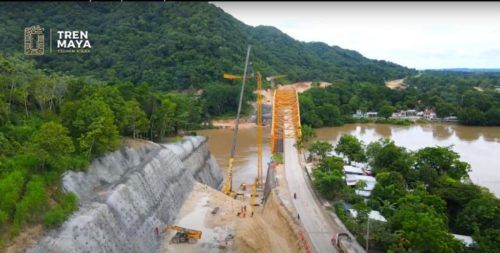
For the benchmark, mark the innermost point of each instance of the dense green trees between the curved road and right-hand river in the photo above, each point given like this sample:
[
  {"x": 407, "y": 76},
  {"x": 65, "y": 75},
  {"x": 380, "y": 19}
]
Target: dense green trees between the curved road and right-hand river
[{"x": 424, "y": 195}]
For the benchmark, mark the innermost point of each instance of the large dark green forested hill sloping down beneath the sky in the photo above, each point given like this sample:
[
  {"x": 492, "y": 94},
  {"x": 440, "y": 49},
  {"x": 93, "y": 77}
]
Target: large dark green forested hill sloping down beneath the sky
[{"x": 179, "y": 45}]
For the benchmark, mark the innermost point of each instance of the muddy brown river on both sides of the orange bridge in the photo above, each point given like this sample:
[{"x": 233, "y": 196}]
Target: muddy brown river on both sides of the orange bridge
[{"x": 479, "y": 146}]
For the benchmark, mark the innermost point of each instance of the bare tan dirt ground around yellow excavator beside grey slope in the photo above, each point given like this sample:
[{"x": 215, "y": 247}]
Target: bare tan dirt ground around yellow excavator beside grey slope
[{"x": 266, "y": 231}]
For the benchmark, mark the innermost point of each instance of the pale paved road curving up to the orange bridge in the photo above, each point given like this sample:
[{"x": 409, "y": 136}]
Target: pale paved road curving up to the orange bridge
[{"x": 311, "y": 214}]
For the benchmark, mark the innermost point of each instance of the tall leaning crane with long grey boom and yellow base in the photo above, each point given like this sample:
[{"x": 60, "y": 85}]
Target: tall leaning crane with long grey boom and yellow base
[{"x": 228, "y": 187}]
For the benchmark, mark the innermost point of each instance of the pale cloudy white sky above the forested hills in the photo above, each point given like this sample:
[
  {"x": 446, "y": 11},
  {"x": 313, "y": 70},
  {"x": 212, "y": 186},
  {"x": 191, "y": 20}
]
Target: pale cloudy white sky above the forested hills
[{"x": 421, "y": 35}]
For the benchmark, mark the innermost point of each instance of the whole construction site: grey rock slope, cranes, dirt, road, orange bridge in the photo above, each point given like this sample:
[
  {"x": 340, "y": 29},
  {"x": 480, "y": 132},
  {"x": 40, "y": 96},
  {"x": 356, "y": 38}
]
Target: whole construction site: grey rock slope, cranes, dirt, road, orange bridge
[{"x": 150, "y": 197}]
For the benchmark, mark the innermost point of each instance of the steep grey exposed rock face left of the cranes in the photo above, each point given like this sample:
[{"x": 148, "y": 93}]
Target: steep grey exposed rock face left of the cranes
[{"x": 127, "y": 193}]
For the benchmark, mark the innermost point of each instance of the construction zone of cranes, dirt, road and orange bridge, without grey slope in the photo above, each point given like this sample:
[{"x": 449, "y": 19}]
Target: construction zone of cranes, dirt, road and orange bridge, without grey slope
[{"x": 273, "y": 209}]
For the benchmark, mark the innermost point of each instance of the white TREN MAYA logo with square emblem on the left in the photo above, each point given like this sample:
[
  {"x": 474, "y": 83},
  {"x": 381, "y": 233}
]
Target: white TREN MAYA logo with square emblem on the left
[{"x": 65, "y": 41}]
